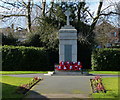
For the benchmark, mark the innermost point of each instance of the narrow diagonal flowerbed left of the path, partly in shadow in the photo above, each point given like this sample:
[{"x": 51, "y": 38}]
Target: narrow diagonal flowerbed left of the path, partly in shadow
[{"x": 24, "y": 88}]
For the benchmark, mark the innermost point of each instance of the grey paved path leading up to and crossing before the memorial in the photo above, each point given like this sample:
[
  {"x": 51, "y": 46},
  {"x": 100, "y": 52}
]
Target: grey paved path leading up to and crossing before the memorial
[{"x": 60, "y": 87}]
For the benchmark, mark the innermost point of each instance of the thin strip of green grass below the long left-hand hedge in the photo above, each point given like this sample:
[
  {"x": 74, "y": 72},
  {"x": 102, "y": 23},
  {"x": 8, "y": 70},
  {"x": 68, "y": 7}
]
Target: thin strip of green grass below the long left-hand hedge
[{"x": 22, "y": 72}]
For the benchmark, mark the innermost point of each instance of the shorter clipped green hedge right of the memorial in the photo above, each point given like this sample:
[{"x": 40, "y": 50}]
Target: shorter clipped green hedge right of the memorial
[{"x": 107, "y": 59}]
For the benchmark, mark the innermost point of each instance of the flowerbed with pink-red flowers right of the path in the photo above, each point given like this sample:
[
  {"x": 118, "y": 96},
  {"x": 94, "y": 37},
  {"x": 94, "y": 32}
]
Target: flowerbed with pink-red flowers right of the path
[{"x": 97, "y": 85}]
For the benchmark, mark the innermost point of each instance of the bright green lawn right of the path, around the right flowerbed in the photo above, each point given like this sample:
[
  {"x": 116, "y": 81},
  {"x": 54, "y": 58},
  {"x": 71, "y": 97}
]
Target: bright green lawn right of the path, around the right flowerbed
[{"x": 111, "y": 85}]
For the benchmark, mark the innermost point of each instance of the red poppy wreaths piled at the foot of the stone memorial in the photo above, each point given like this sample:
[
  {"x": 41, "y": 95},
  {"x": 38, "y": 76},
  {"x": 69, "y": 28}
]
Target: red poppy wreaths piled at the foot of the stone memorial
[{"x": 76, "y": 66}]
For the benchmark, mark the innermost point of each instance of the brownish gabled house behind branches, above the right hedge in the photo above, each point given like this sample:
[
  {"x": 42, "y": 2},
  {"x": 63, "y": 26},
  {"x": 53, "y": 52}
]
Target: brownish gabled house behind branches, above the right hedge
[{"x": 107, "y": 35}]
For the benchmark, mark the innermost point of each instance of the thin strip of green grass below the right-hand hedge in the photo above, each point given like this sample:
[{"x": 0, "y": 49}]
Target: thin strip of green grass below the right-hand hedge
[{"x": 105, "y": 72}]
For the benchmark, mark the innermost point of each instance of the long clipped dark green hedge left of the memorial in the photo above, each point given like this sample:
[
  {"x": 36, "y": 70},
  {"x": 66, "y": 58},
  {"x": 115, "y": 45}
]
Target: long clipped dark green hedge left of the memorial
[{"x": 25, "y": 58}]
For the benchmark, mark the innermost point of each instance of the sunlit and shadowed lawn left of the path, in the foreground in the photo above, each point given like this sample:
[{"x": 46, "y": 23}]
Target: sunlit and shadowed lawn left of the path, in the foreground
[{"x": 9, "y": 85}]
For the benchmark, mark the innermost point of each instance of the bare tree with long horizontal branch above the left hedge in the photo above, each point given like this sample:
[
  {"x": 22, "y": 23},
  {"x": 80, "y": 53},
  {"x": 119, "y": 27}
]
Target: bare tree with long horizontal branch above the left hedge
[{"x": 20, "y": 8}]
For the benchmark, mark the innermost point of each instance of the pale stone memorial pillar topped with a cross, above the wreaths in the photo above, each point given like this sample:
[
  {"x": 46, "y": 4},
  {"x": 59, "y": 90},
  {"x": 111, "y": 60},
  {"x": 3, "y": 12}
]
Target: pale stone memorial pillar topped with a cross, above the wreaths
[{"x": 68, "y": 41}]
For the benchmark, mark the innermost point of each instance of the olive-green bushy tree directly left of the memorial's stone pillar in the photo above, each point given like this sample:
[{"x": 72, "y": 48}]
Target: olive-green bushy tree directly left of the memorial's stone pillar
[{"x": 48, "y": 33}]
